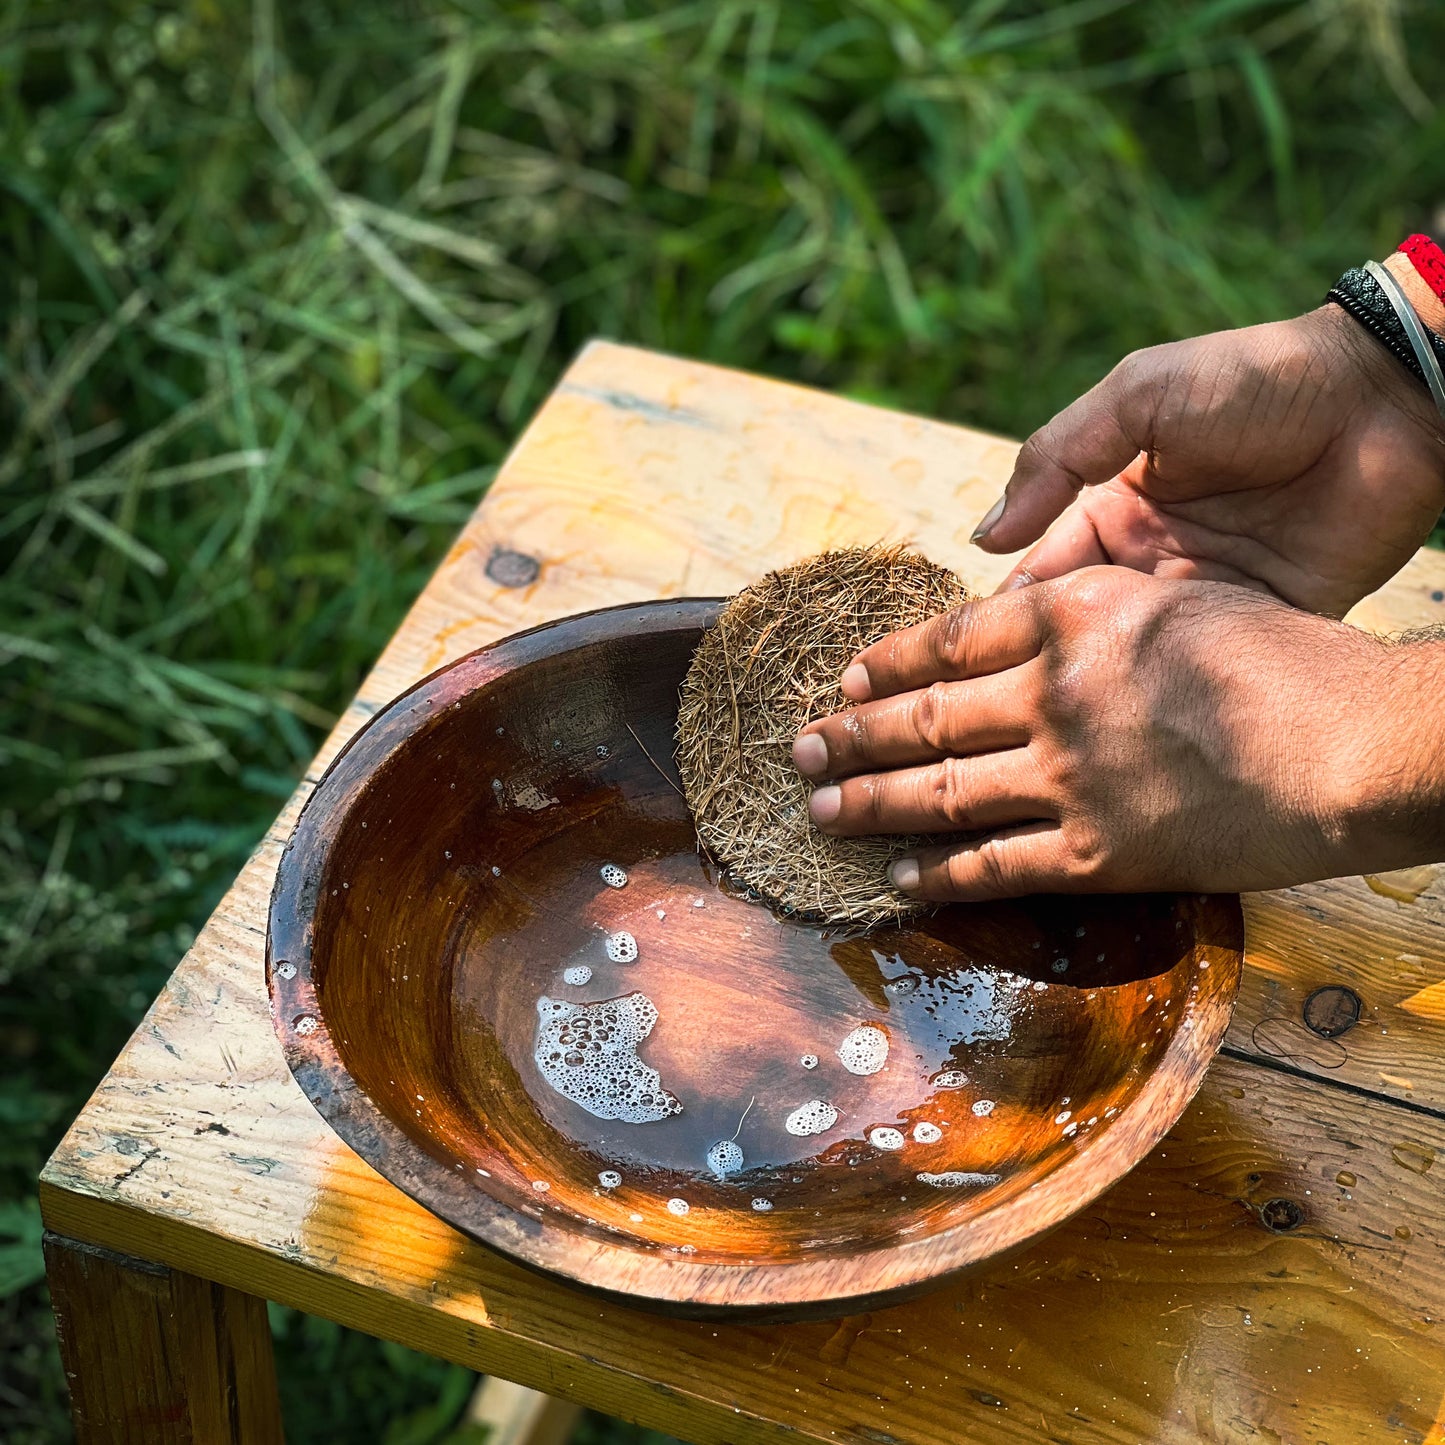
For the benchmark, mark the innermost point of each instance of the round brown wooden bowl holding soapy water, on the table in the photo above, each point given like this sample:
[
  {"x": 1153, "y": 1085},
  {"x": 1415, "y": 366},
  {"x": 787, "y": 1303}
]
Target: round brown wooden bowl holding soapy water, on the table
[{"x": 446, "y": 933}]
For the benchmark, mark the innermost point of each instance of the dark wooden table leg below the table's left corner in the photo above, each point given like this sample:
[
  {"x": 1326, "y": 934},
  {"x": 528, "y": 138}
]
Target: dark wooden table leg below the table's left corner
[{"x": 160, "y": 1358}]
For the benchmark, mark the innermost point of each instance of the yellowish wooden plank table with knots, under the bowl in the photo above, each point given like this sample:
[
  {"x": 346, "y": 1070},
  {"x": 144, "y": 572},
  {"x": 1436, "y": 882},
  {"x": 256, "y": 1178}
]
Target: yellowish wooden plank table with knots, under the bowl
[{"x": 1272, "y": 1274}]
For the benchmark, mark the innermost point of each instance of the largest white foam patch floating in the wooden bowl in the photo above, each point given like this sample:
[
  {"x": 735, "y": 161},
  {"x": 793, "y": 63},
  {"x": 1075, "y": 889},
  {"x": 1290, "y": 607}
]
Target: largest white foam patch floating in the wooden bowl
[{"x": 589, "y": 1054}]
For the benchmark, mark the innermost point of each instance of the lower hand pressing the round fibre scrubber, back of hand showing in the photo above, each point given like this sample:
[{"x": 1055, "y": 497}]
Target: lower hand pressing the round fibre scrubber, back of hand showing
[{"x": 1110, "y": 732}]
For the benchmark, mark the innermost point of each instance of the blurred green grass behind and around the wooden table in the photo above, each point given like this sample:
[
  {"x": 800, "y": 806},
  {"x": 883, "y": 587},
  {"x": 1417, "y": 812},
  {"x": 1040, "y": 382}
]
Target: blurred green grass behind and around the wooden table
[{"x": 278, "y": 290}]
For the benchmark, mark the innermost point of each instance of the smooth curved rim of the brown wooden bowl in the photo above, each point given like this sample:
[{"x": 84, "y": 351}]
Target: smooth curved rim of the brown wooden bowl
[{"x": 832, "y": 1284}]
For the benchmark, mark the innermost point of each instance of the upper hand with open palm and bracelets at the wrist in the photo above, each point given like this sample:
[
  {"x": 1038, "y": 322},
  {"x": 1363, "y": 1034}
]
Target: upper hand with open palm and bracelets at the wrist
[{"x": 1298, "y": 459}]
